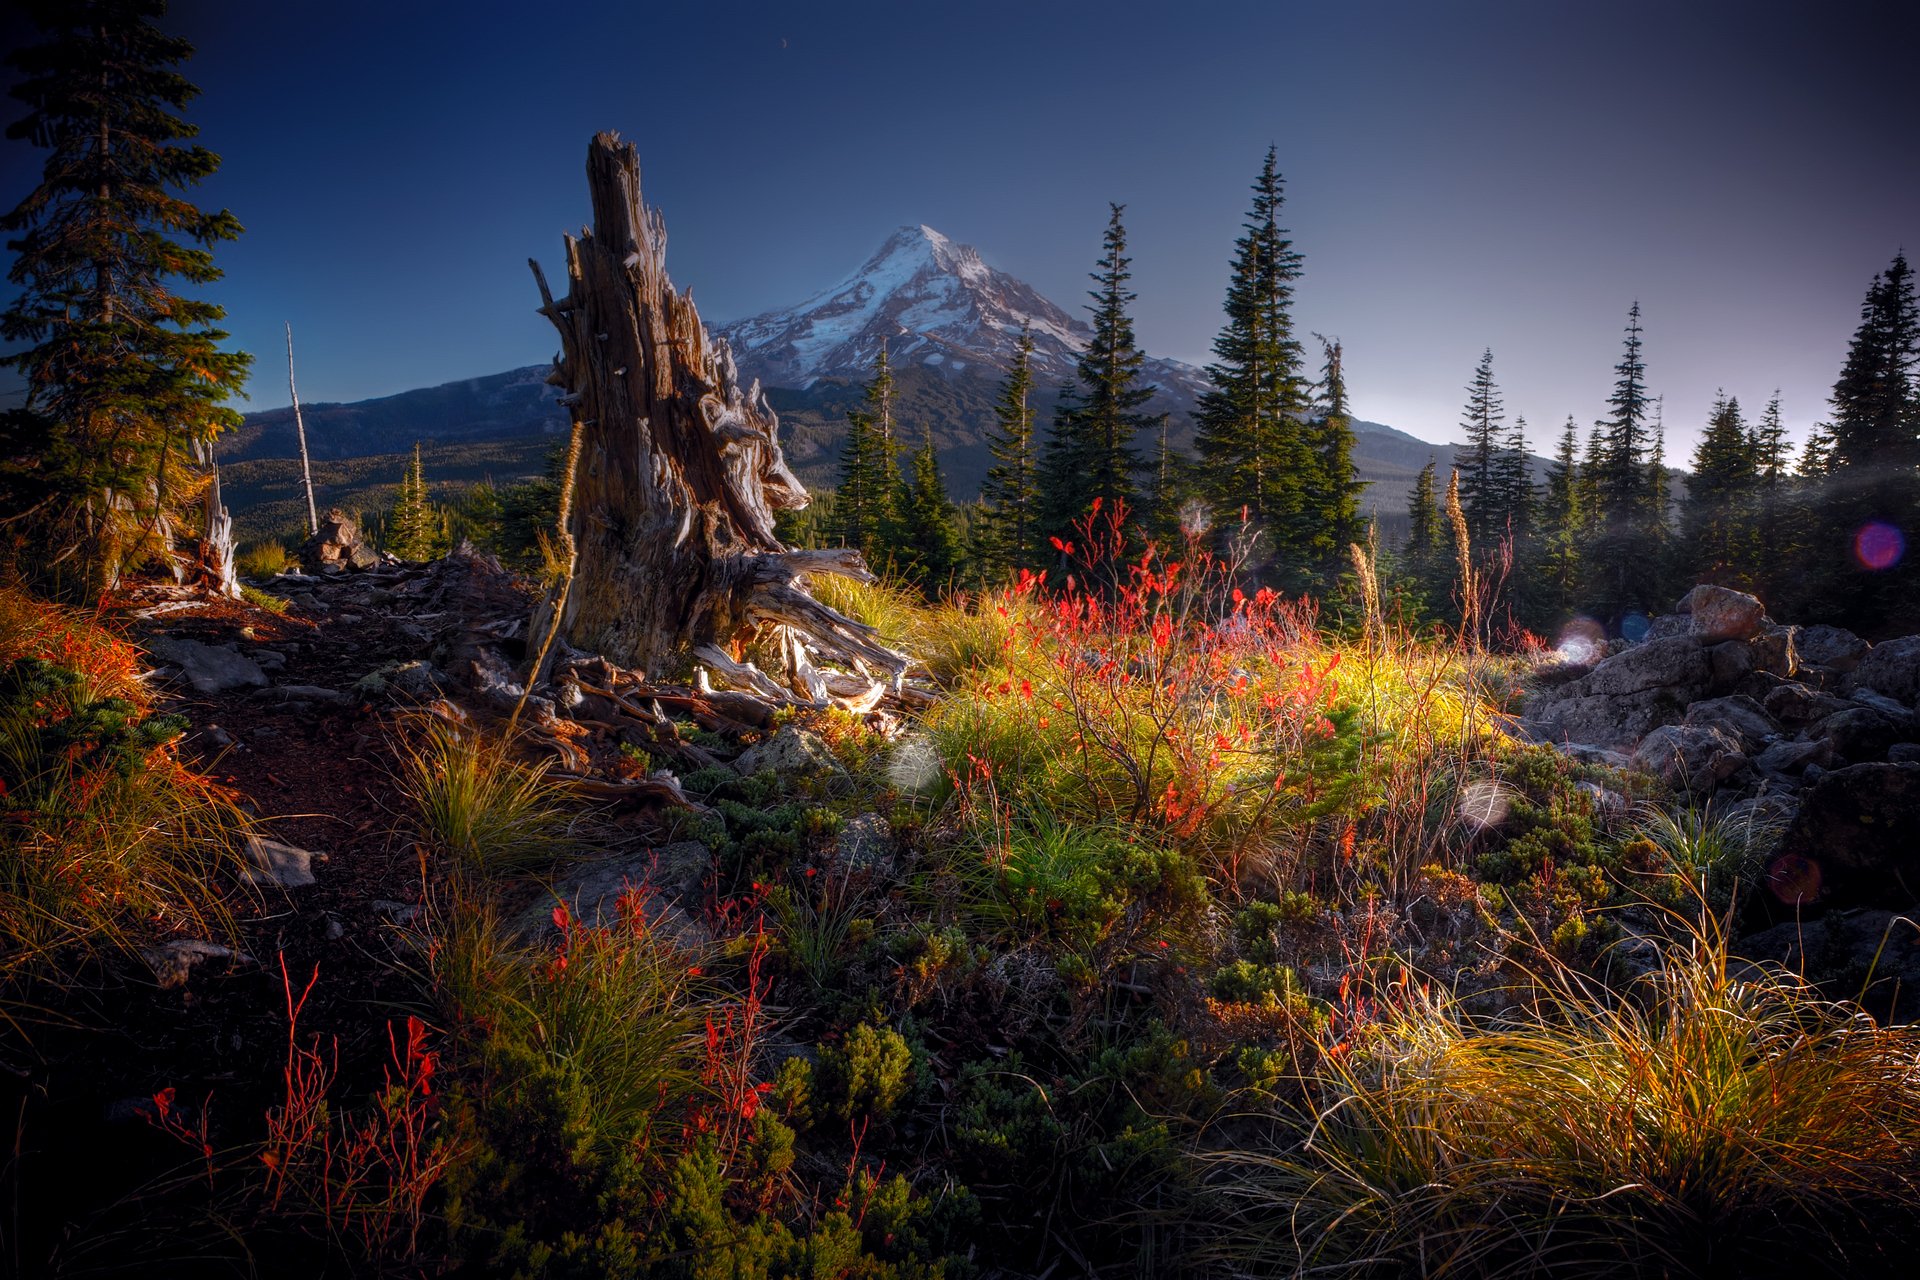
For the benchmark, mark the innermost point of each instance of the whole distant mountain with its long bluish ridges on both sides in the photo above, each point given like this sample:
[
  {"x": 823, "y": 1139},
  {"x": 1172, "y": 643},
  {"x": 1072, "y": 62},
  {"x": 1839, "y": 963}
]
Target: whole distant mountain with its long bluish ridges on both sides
[{"x": 951, "y": 325}]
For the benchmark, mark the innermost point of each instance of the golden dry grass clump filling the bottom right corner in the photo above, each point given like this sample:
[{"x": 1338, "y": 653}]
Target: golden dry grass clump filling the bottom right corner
[{"x": 1708, "y": 1126}]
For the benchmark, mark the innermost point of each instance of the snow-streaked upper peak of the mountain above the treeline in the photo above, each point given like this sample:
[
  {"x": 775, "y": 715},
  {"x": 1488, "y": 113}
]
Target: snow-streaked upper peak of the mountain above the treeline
[{"x": 938, "y": 306}]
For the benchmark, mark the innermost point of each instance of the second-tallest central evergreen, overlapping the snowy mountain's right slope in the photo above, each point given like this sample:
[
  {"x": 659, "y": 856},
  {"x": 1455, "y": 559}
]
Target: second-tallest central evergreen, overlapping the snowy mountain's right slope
[{"x": 1090, "y": 454}]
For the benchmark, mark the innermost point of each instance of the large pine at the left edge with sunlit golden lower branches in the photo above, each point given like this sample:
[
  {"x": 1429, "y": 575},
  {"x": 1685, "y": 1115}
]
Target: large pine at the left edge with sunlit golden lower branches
[{"x": 126, "y": 377}]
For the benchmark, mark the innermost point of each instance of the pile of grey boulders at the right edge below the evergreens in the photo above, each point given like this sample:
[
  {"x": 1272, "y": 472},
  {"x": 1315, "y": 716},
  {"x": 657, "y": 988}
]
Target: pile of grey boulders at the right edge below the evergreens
[{"x": 1815, "y": 724}]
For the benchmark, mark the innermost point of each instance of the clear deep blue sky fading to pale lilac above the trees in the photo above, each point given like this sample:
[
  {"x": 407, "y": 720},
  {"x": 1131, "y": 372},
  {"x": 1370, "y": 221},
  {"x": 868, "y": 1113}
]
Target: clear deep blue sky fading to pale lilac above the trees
[{"x": 1460, "y": 176}]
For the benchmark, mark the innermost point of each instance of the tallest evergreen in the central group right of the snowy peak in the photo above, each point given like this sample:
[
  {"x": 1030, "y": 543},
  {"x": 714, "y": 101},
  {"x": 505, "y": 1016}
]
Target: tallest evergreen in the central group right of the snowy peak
[{"x": 1251, "y": 425}]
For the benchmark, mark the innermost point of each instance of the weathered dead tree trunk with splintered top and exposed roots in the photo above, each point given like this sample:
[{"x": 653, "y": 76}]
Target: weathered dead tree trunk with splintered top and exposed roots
[{"x": 681, "y": 475}]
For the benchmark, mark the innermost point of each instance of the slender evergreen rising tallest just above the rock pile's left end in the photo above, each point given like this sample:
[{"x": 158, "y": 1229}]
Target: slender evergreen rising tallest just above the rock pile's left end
[{"x": 1621, "y": 552}]
